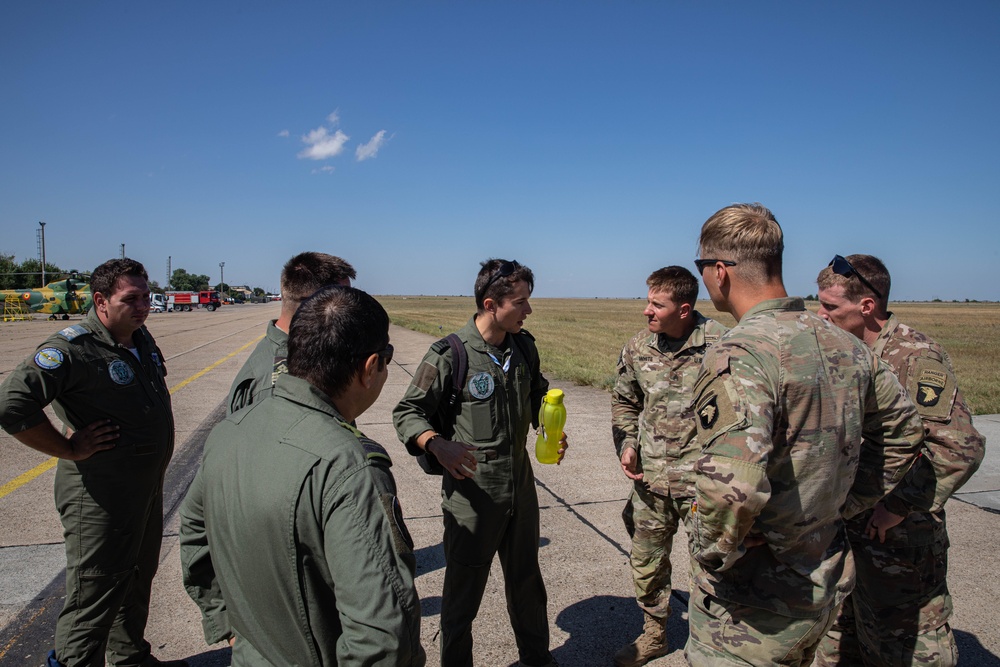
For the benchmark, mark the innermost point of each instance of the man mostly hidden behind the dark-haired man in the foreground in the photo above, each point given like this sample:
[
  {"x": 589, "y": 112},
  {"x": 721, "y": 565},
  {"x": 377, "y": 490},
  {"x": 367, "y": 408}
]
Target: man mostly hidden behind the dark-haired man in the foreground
[{"x": 301, "y": 277}]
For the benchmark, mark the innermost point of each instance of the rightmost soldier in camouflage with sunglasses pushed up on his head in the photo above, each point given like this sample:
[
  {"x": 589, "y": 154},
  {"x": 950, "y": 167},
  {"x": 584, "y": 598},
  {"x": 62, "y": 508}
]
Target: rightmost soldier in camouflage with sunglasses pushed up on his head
[{"x": 898, "y": 613}]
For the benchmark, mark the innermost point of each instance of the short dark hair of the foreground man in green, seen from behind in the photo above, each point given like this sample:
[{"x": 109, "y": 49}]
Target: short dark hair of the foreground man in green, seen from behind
[{"x": 332, "y": 333}]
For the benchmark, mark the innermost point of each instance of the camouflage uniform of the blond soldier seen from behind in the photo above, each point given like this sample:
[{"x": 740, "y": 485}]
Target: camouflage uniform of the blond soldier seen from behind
[{"x": 797, "y": 423}]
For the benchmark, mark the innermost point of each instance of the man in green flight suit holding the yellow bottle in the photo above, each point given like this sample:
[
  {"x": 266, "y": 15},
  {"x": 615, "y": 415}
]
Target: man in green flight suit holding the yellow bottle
[{"x": 488, "y": 492}]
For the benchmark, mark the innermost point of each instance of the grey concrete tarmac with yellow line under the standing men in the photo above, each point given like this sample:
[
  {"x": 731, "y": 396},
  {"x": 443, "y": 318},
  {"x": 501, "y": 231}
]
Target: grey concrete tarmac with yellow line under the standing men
[{"x": 584, "y": 547}]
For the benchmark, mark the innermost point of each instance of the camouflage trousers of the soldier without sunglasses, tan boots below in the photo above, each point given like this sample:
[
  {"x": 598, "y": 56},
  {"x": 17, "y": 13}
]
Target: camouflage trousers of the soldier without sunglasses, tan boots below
[{"x": 651, "y": 521}]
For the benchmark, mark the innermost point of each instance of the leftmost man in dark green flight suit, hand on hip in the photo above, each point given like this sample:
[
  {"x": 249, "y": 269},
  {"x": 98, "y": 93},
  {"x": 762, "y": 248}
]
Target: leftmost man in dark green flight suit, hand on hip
[{"x": 106, "y": 379}]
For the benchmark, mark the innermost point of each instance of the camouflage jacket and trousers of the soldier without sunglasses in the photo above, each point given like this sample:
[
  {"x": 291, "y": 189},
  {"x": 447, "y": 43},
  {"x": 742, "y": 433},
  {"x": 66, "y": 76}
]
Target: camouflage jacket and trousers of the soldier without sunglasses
[{"x": 651, "y": 413}]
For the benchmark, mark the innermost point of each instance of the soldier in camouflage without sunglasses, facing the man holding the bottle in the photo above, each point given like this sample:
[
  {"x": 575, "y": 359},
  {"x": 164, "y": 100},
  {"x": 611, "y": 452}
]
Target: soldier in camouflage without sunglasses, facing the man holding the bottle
[{"x": 652, "y": 423}]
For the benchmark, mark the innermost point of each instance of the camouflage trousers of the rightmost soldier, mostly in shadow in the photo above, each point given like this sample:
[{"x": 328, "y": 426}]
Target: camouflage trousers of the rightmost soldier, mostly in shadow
[{"x": 899, "y": 610}]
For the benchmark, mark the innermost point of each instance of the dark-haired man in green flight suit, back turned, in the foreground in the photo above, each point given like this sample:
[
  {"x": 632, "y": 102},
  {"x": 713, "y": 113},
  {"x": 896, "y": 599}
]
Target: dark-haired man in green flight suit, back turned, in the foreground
[{"x": 292, "y": 538}]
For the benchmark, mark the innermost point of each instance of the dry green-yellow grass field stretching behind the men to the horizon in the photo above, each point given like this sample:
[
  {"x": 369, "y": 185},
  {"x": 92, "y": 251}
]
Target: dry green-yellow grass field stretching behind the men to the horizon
[{"x": 579, "y": 339}]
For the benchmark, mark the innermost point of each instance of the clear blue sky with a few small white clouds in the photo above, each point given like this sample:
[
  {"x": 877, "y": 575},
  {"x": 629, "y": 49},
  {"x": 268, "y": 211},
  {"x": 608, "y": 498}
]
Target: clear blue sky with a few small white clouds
[{"x": 589, "y": 140}]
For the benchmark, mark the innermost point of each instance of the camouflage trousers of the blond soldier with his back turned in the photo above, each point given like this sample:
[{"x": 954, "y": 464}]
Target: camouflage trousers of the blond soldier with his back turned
[{"x": 727, "y": 633}]
